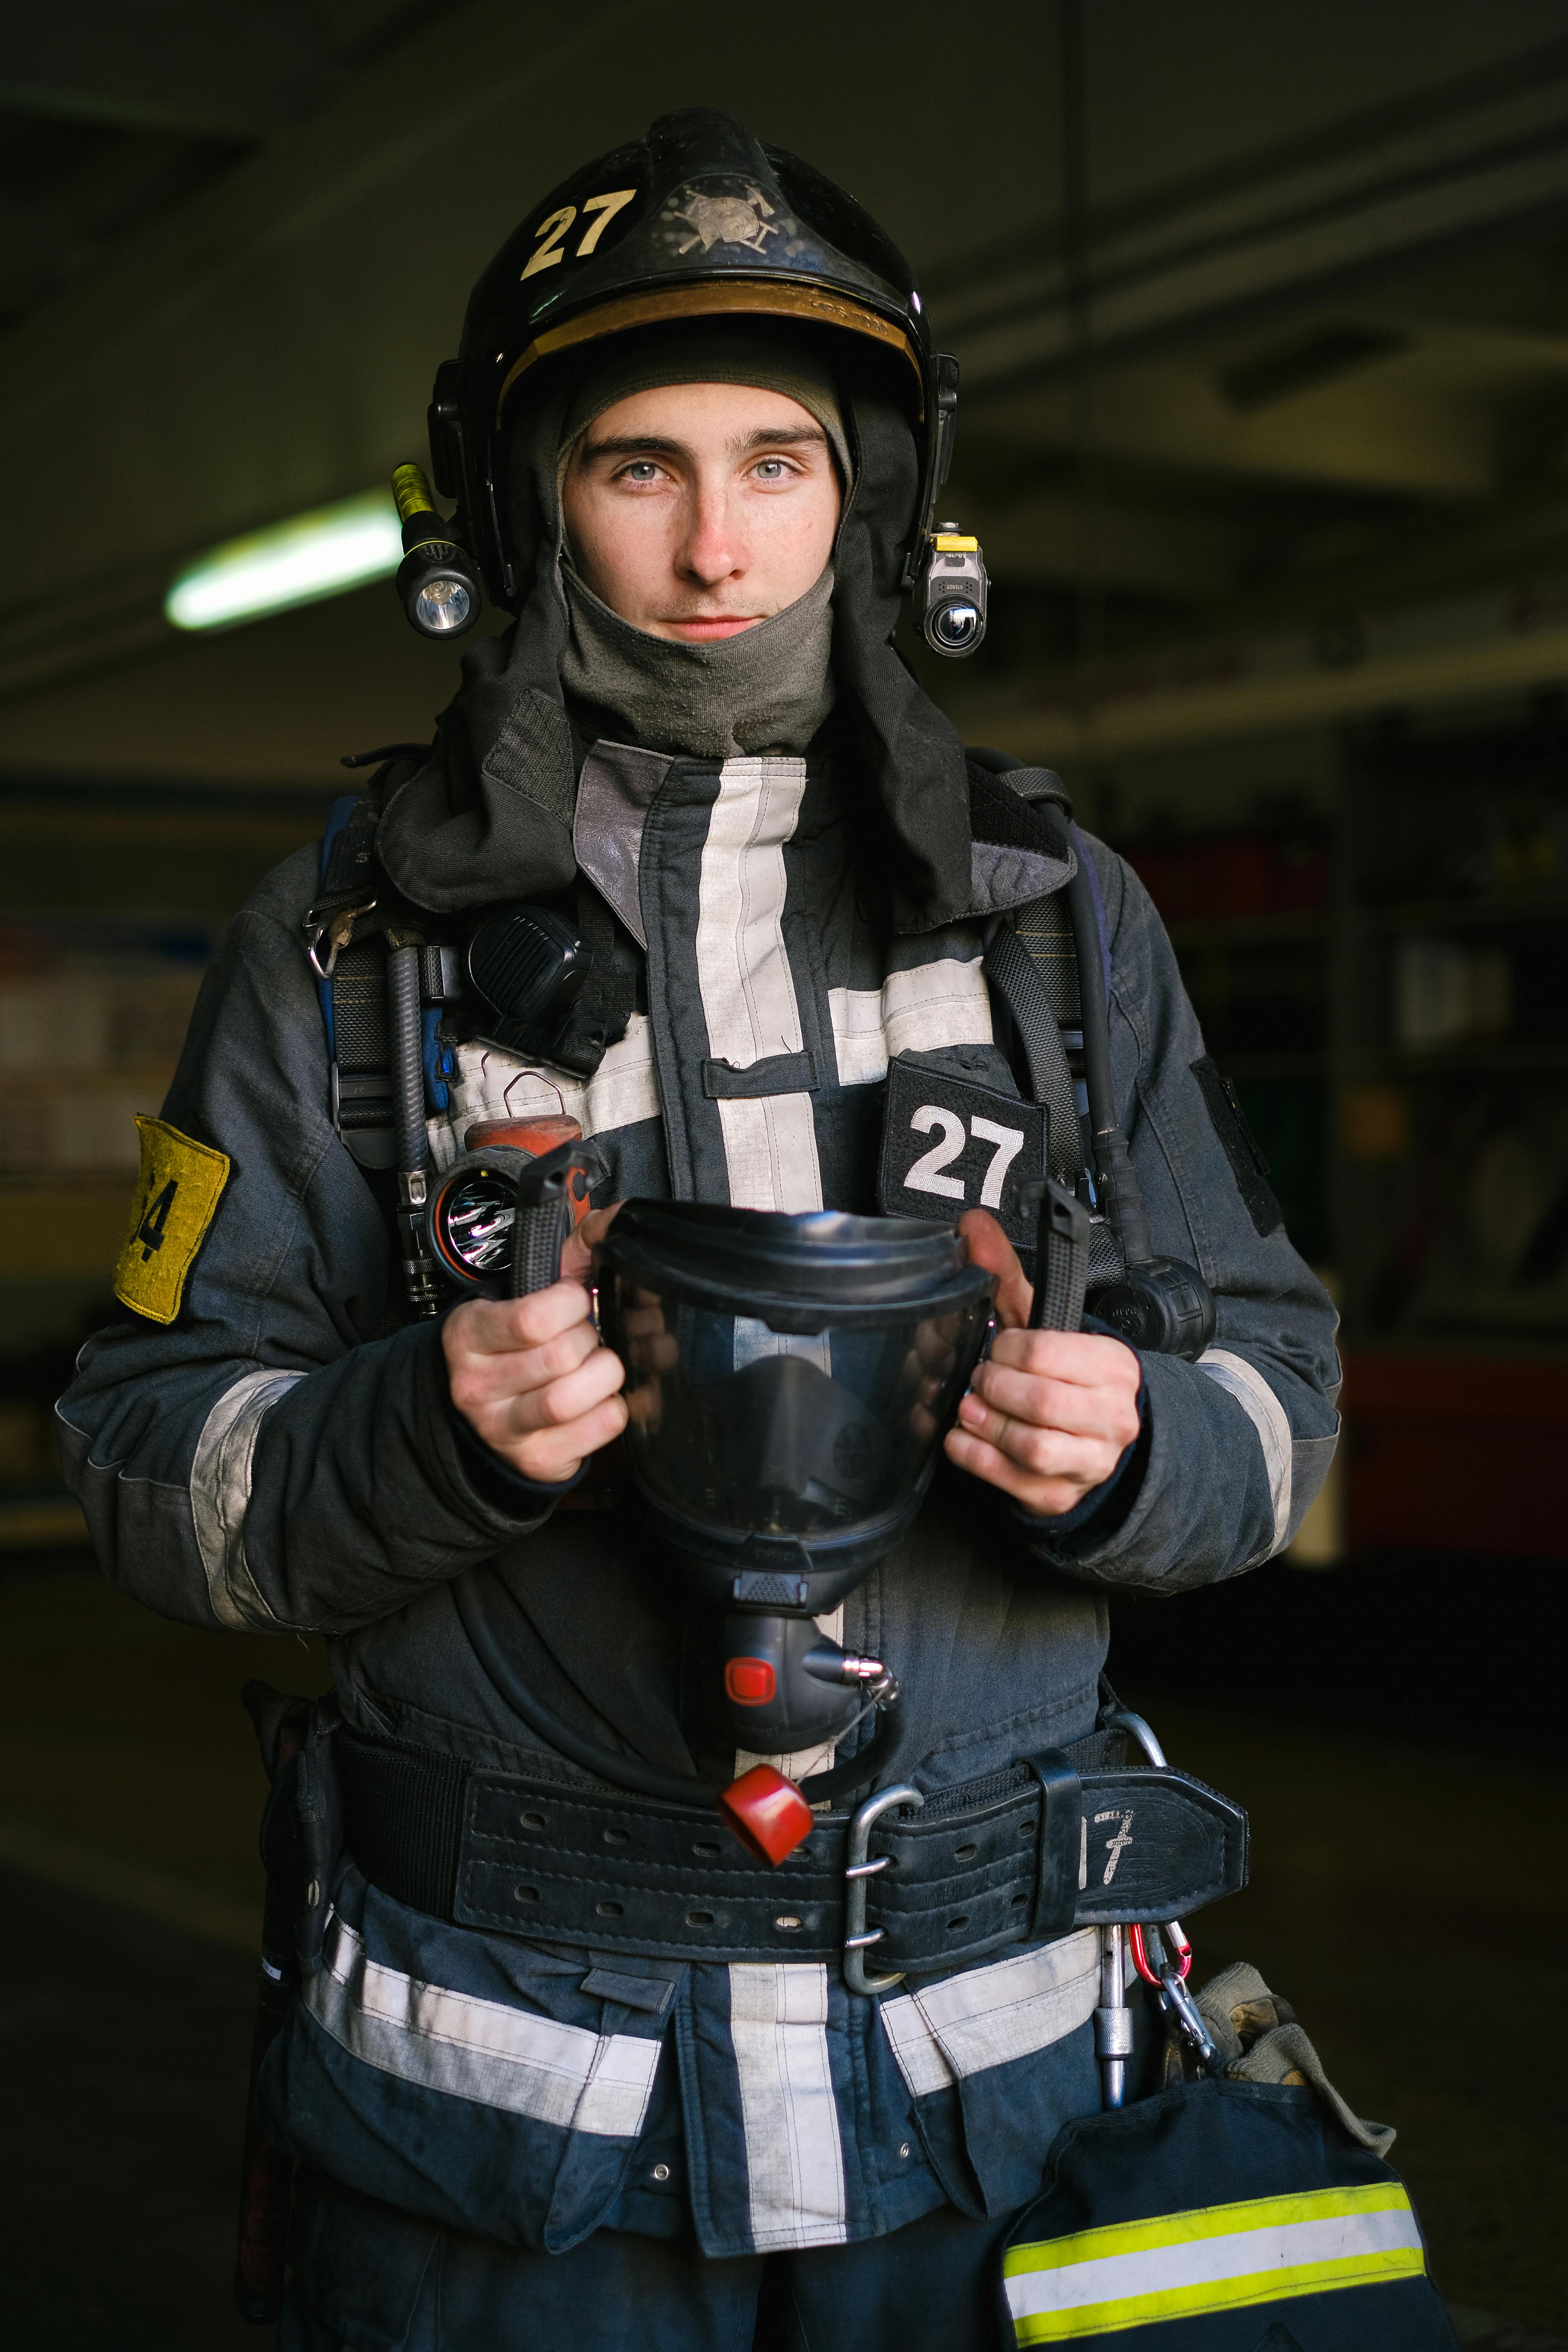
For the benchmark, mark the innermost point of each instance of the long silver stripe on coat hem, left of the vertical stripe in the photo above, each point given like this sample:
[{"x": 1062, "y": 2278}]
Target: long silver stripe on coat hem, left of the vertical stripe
[{"x": 478, "y": 2050}]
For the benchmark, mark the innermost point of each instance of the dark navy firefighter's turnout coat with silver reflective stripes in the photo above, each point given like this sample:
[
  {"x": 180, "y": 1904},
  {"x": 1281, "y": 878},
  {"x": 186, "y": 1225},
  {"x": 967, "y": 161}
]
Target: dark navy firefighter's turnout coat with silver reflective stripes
[{"x": 267, "y": 1441}]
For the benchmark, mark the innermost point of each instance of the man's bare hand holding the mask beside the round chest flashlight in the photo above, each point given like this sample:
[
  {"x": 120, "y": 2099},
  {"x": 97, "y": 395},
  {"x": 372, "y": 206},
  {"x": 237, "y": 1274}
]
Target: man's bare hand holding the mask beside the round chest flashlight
[{"x": 532, "y": 1377}]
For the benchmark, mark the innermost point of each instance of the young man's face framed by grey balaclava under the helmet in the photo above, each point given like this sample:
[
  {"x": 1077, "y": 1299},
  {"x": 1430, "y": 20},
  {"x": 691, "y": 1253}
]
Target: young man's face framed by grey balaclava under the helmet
[{"x": 702, "y": 509}]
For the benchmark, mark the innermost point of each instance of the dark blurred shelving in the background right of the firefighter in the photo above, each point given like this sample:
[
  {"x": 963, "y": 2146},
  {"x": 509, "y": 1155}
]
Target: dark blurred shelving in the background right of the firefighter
[{"x": 1386, "y": 982}]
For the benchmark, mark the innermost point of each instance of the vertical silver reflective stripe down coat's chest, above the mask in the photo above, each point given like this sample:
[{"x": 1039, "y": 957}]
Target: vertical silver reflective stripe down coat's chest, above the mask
[{"x": 746, "y": 982}]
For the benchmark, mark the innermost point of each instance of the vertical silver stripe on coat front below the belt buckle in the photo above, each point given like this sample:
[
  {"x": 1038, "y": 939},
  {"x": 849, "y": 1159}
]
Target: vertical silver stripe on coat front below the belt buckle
[{"x": 789, "y": 2113}]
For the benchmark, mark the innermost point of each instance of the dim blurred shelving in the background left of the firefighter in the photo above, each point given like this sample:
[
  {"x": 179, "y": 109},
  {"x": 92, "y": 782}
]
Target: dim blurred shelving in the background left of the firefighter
[{"x": 112, "y": 904}]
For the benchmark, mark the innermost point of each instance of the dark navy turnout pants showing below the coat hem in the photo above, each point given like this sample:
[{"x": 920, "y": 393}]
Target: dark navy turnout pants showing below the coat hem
[{"x": 373, "y": 2280}]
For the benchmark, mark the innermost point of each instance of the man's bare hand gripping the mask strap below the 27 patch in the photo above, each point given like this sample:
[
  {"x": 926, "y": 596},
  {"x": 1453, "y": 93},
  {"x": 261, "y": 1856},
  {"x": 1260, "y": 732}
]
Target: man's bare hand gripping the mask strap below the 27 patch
[{"x": 1052, "y": 1412}]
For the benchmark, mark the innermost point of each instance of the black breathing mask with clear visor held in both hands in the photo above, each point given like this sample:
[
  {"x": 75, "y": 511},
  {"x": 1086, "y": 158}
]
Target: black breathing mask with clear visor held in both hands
[{"x": 789, "y": 1382}]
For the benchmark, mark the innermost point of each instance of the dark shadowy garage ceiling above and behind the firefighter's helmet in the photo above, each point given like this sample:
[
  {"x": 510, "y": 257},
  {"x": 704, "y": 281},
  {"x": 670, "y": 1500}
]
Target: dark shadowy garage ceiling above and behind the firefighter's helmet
[{"x": 1264, "y": 314}]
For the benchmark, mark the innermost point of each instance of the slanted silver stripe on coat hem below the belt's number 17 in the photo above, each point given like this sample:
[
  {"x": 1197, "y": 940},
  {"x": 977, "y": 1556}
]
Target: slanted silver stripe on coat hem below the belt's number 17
[{"x": 991, "y": 2017}]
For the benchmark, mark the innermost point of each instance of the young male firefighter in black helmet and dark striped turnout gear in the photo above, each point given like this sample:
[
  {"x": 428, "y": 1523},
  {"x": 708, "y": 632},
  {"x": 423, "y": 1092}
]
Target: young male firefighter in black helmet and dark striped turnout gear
[{"x": 697, "y": 436}]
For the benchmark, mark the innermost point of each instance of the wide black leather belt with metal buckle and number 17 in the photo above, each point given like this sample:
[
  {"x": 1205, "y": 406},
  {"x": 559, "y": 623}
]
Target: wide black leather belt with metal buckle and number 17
[{"x": 1071, "y": 1838}]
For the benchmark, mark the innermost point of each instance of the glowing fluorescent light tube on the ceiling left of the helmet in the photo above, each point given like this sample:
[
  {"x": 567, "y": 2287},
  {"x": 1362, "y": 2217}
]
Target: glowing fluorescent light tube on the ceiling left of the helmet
[{"x": 293, "y": 563}]
